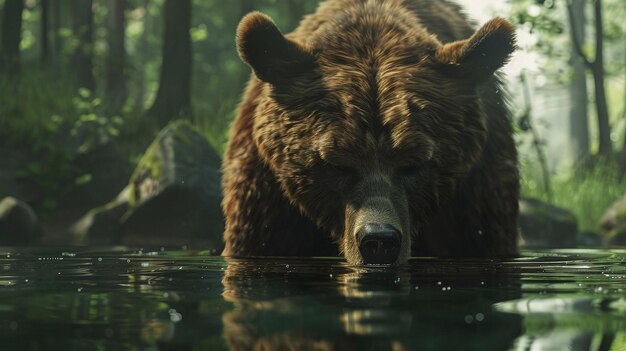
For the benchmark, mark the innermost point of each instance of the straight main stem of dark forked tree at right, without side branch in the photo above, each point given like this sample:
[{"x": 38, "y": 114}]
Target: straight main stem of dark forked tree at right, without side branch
[{"x": 604, "y": 128}]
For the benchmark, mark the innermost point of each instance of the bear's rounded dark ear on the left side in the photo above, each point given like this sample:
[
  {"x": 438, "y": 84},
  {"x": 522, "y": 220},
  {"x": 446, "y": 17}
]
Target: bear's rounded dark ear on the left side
[{"x": 271, "y": 56}]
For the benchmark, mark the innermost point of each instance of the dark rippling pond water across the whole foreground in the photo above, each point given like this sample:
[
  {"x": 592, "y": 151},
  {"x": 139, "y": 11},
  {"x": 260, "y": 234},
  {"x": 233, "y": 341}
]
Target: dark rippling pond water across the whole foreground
[{"x": 115, "y": 299}]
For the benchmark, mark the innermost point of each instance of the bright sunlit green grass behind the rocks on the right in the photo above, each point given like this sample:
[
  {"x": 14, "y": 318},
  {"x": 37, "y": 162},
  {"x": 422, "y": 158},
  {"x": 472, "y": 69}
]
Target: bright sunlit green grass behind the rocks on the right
[{"x": 587, "y": 194}]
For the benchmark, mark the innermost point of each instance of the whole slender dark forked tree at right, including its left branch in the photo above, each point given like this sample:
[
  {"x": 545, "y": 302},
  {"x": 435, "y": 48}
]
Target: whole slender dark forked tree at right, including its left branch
[{"x": 596, "y": 67}]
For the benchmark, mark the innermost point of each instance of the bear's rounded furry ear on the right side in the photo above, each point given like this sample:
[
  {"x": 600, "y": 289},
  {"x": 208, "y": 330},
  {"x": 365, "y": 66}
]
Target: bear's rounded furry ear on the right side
[{"x": 478, "y": 57}]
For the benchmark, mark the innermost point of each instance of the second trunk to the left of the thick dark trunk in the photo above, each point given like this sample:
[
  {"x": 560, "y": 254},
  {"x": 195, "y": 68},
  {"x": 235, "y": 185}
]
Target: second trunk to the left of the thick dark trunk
[{"x": 83, "y": 56}]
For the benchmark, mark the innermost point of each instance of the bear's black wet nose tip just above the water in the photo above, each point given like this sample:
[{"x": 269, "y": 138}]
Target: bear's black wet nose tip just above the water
[{"x": 379, "y": 243}]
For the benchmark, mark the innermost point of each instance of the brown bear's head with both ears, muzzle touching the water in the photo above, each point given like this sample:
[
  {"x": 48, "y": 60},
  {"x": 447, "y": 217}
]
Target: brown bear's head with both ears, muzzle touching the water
[{"x": 370, "y": 123}]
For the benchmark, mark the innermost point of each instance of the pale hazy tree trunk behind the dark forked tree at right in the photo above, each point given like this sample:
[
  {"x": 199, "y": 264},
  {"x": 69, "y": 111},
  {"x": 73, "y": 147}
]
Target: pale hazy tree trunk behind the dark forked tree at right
[{"x": 579, "y": 125}]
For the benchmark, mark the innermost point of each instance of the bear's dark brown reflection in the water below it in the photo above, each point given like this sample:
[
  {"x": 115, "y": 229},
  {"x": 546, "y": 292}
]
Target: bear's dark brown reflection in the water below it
[{"x": 378, "y": 308}]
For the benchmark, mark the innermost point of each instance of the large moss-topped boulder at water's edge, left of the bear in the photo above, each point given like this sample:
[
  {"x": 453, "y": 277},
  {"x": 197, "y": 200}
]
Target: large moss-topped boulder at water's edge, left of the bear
[{"x": 173, "y": 197}]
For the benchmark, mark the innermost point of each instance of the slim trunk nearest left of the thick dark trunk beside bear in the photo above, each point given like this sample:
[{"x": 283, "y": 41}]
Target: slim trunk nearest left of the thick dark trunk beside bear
[{"x": 116, "y": 81}]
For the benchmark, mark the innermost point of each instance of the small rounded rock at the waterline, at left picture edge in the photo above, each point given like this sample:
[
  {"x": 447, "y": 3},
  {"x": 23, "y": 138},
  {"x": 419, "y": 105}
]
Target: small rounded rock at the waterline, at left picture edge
[{"x": 18, "y": 223}]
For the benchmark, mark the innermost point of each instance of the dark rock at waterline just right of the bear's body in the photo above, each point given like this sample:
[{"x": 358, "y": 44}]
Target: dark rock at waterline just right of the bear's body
[{"x": 546, "y": 226}]
